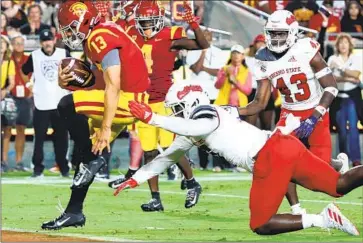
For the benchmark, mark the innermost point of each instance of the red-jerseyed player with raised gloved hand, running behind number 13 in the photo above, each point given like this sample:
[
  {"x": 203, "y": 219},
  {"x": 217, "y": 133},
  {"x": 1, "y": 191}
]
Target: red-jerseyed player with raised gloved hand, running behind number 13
[{"x": 160, "y": 45}]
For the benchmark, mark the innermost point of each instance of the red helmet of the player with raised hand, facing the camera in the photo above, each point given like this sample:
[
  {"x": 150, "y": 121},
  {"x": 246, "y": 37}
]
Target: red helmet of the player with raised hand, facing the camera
[{"x": 149, "y": 15}]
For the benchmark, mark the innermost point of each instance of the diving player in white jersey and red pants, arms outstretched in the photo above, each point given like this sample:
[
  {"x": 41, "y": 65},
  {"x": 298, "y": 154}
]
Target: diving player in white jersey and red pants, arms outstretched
[{"x": 260, "y": 152}]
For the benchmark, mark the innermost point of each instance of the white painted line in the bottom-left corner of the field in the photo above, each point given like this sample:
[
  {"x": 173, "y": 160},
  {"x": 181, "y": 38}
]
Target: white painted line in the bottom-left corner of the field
[{"x": 85, "y": 236}]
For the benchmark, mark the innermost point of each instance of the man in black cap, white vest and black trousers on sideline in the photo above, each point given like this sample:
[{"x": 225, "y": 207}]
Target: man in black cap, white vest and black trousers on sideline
[{"x": 43, "y": 63}]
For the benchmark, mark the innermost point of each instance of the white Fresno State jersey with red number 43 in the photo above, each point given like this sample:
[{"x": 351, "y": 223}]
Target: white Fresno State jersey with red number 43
[{"x": 292, "y": 74}]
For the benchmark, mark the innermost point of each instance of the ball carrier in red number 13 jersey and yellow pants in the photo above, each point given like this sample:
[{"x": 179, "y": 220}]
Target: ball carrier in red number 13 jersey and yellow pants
[{"x": 125, "y": 75}]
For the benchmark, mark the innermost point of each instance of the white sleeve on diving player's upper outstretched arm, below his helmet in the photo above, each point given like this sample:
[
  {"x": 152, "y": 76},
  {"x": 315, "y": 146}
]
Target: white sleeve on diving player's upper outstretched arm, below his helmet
[{"x": 198, "y": 126}]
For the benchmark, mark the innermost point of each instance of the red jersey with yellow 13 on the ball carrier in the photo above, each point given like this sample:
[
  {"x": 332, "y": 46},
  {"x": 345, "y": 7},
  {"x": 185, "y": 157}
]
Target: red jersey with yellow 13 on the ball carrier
[{"x": 109, "y": 36}]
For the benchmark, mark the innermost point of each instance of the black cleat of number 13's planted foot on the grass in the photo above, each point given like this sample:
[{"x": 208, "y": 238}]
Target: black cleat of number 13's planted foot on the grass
[{"x": 65, "y": 220}]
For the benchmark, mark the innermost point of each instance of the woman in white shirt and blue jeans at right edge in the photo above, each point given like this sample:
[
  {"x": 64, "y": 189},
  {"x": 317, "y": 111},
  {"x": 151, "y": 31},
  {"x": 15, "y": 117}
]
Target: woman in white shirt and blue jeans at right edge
[{"x": 347, "y": 68}]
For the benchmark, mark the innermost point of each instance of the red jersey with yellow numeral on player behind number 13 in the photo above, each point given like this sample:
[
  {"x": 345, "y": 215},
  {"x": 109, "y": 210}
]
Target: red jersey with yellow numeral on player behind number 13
[{"x": 159, "y": 59}]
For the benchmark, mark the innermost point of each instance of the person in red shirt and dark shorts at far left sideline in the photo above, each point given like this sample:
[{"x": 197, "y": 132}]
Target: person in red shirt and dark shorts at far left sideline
[{"x": 21, "y": 96}]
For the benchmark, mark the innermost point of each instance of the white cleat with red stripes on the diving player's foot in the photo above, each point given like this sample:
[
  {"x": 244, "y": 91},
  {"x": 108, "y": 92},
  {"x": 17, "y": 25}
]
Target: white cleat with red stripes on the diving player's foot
[{"x": 334, "y": 219}]
